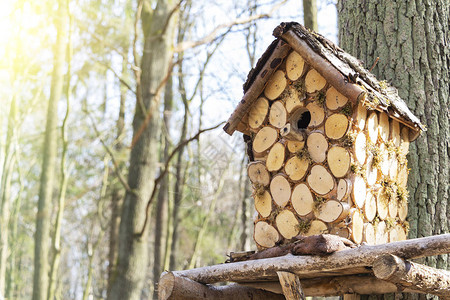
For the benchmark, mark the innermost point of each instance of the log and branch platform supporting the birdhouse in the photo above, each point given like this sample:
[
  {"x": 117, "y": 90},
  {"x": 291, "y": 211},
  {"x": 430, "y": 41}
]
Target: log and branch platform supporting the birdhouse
[{"x": 363, "y": 270}]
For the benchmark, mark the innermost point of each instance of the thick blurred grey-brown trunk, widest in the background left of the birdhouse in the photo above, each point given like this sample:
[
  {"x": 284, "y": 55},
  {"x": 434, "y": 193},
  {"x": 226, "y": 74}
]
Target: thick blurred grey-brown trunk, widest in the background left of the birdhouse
[{"x": 133, "y": 248}]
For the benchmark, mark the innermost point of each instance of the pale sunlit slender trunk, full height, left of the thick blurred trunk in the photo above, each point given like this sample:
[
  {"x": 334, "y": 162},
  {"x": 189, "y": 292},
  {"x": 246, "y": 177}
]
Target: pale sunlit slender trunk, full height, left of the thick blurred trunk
[{"x": 41, "y": 248}]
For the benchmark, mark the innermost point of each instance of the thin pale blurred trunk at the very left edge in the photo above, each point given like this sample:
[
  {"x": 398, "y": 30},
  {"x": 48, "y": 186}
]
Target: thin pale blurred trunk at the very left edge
[{"x": 8, "y": 166}]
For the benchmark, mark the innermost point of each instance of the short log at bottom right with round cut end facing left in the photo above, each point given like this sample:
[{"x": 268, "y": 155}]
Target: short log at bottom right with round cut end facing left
[{"x": 412, "y": 275}]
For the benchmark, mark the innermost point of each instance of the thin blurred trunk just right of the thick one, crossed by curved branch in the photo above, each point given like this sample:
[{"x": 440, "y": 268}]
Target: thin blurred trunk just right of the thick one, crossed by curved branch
[{"x": 161, "y": 204}]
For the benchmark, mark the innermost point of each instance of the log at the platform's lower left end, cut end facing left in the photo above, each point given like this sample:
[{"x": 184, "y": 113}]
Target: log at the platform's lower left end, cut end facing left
[{"x": 175, "y": 287}]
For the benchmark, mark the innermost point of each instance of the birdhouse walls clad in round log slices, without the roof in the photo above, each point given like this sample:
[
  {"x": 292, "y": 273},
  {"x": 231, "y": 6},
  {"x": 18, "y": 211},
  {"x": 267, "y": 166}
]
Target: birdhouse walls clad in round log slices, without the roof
[{"x": 320, "y": 164}]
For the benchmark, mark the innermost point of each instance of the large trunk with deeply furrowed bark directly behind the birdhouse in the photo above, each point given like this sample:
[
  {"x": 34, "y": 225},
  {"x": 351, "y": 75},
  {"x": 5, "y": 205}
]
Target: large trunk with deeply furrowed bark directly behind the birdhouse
[{"x": 411, "y": 40}]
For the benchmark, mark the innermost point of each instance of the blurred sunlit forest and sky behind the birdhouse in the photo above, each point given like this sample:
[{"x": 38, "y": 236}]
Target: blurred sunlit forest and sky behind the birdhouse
[{"x": 113, "y": 163}]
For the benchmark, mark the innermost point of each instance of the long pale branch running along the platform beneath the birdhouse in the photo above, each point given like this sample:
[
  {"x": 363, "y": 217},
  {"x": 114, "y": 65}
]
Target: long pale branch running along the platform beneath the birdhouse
[{"x": 360, "y": 257}]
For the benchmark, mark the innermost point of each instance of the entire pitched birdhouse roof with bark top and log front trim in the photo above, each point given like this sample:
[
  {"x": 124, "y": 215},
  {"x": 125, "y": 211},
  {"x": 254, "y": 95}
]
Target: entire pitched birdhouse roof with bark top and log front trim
[{"x": 342, "y": 70}]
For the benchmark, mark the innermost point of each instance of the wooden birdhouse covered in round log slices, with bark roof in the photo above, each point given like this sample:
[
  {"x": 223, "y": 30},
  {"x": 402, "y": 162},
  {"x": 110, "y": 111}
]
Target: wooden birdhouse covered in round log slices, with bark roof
[{"x": 326, "y": 143}]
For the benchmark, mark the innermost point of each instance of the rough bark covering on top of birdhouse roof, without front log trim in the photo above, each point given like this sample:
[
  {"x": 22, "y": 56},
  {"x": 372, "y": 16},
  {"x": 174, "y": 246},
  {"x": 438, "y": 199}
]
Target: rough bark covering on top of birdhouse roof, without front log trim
[{"x": 376, "y": 94}]
